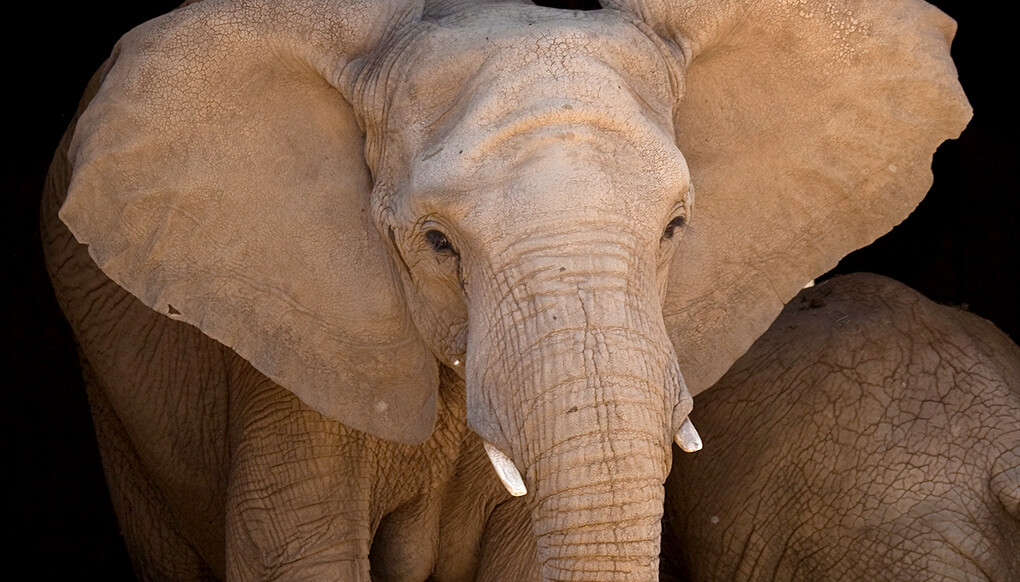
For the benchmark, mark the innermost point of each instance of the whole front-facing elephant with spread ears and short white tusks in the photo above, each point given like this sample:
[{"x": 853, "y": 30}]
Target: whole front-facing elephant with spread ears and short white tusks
[{"x": 322, "y": 257}]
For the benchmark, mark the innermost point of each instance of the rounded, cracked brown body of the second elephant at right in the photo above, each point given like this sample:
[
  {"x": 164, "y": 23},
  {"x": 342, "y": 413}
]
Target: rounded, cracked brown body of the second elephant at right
[{"x": 871, "y": 435}]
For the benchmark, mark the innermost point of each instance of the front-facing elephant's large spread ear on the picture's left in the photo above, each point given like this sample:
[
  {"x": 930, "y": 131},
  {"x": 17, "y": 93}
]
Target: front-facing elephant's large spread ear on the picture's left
[{"x": 219, "y": 177}]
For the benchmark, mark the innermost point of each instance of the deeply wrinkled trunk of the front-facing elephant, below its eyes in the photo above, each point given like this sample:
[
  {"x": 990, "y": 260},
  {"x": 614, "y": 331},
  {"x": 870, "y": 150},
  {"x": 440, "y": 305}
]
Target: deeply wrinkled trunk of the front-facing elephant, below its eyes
[{"x": 578, "y": 384}]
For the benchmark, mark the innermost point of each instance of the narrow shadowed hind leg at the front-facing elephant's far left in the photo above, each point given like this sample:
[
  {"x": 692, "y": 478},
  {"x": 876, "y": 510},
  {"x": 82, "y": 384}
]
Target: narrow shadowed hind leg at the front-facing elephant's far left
[{"x": 158, "y": 549}]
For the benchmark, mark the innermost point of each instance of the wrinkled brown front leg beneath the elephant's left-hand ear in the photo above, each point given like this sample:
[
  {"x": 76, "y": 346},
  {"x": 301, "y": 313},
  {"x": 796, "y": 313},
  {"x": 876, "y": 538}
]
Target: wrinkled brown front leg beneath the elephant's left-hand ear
[{"x": 299, "y": 501}]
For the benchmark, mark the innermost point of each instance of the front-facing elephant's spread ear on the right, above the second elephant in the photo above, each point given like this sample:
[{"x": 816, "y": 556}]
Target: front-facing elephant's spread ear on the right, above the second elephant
[{"x": 809, "y": 129}]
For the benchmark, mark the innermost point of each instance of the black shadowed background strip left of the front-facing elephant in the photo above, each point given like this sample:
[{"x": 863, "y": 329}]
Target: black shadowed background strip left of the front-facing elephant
[{"x": 59, "y": 511}]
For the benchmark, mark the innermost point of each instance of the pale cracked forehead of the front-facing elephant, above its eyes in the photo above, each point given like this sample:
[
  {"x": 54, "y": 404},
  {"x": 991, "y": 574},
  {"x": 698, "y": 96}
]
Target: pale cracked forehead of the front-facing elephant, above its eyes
[{"x": 487, "y": 87}]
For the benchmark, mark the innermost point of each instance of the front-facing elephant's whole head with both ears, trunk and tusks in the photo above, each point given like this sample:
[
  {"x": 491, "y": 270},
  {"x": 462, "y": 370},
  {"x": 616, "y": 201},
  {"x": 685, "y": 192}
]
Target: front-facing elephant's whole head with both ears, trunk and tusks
[{"x": 352, "y": 195}]
